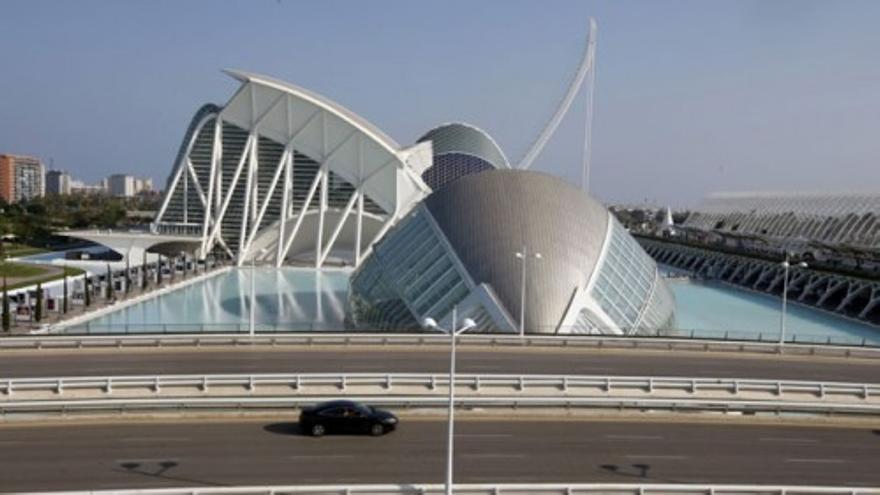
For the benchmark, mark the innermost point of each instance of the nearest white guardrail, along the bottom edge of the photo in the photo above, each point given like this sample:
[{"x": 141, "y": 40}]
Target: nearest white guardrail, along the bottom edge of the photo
[{"x": 499, "y": 489}]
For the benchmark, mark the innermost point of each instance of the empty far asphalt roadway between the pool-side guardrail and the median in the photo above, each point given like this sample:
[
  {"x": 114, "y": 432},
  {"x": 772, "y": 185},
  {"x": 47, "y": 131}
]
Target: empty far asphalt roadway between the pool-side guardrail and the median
[{"x": 372, "y": 359}]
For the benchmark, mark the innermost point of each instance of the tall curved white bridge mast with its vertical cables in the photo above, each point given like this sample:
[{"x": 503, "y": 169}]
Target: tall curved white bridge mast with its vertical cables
[{"x": 587, "y": 66}]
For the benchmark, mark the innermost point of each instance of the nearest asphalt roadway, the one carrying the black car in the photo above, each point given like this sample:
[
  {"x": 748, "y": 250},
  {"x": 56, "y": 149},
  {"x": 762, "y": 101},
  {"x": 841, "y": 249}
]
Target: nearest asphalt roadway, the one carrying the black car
[{"x": 241, "y": 452}]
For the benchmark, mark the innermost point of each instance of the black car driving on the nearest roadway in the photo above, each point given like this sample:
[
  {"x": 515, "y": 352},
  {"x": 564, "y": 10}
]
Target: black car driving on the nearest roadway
[{"x": 345, "y": 416}]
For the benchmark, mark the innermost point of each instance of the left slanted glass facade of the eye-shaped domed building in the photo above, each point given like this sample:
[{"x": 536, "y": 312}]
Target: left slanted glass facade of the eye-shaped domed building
[{"x": 410, "y": 276}]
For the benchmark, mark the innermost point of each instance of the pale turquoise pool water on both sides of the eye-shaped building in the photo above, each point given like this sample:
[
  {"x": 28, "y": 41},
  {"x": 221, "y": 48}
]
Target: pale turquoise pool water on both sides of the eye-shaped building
[{"x": 301, "y": 299}]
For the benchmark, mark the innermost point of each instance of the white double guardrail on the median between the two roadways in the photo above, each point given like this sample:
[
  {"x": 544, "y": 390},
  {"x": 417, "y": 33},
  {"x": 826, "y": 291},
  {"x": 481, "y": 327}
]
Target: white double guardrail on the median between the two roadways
[{"x": 189, "y": 392}]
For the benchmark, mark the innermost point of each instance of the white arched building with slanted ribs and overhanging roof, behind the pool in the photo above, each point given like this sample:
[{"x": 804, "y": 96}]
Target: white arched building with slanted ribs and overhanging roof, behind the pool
[{"x": 282, "y": 174}]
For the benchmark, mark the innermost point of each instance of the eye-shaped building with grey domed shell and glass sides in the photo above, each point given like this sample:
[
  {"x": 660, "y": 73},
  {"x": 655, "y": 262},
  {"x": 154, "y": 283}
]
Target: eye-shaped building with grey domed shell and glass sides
[{"x": 465, "y": 245}]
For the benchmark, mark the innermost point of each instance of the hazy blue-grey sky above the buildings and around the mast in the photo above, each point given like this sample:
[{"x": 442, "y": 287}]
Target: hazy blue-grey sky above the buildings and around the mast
[{"x": 691, "y": 96}]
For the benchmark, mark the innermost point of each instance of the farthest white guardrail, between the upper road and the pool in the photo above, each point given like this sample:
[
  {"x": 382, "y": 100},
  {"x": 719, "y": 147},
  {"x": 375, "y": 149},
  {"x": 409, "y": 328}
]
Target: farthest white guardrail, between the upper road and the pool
[{"x": 307, "y": 339}]
